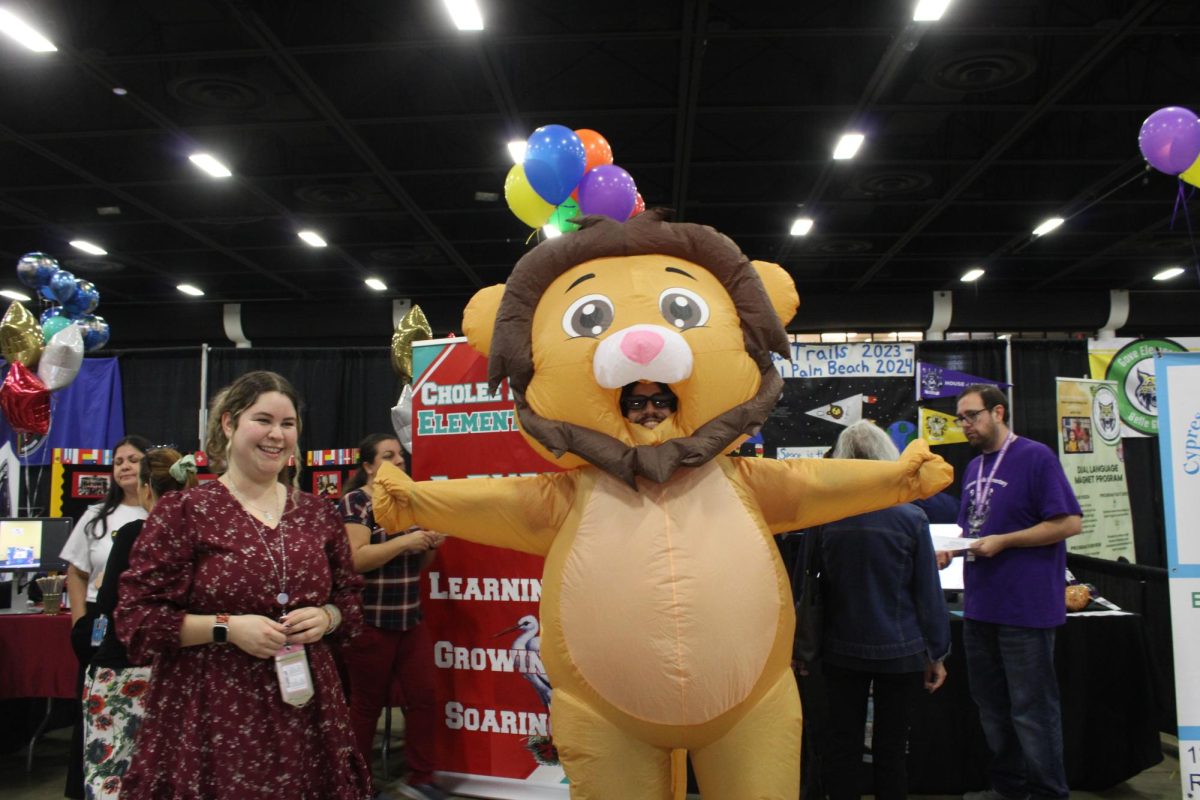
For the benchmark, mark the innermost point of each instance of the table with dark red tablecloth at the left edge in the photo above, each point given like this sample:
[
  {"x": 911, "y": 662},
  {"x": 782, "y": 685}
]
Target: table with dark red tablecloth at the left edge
[{"x": 37, "y": 661}]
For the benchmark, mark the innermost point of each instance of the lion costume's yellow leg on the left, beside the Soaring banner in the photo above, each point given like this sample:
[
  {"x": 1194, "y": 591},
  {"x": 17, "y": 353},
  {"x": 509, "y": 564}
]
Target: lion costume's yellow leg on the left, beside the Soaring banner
[{"x": 602, "y": 761}]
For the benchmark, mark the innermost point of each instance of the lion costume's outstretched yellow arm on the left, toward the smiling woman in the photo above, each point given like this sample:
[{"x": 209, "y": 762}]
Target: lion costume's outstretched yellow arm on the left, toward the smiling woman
[{"x": 521, "y": 514}]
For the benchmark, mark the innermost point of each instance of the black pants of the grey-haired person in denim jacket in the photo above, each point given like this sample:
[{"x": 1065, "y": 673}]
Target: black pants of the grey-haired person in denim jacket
[{"x": 896, "y": 695}]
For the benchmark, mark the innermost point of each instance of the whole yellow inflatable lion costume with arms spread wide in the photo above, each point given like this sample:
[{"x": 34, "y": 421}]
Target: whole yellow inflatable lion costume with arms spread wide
[{"x": 667, "y": 612}]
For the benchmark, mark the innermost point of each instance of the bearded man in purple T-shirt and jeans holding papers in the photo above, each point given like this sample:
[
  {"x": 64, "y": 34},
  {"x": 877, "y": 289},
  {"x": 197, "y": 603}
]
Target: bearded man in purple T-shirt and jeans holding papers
[{"x": 1019, "y": 508}]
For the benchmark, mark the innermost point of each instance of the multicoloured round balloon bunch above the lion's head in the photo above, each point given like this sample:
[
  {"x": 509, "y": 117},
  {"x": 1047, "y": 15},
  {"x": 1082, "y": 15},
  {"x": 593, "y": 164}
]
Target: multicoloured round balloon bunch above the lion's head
[{"x": 567, "y": 175}]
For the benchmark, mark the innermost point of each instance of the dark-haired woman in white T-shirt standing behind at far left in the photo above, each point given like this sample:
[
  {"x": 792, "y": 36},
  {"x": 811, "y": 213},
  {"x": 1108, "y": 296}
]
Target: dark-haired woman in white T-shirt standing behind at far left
[{"x": 87, "y": 554}]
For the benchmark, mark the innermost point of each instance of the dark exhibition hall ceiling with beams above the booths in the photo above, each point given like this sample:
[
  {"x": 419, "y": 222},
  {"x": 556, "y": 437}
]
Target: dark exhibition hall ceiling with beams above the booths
[{"x": 383, "y": 128}]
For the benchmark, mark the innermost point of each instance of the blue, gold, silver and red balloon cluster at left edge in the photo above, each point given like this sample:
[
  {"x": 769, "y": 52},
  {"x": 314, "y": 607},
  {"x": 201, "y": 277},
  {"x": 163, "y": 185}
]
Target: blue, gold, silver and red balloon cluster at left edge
[{"x": 55, "y": 347}]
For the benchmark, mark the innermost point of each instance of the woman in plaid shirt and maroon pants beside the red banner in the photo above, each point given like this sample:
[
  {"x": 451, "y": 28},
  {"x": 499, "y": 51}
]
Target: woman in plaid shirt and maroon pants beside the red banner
[{"x": 393, "y": 643}]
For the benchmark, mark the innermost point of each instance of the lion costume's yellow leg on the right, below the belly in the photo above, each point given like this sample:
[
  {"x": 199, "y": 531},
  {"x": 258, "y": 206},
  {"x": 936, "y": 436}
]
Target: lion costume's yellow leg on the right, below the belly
[{"x": 761, "y": 756}]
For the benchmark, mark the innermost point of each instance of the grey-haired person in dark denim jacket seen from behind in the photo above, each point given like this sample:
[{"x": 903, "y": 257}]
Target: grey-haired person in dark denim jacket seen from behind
[{"x": 886, "y": 631}]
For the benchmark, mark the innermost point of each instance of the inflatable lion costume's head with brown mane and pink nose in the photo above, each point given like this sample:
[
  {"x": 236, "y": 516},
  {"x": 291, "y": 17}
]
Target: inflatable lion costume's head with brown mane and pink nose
[{"x": 646, "y": 300}]
